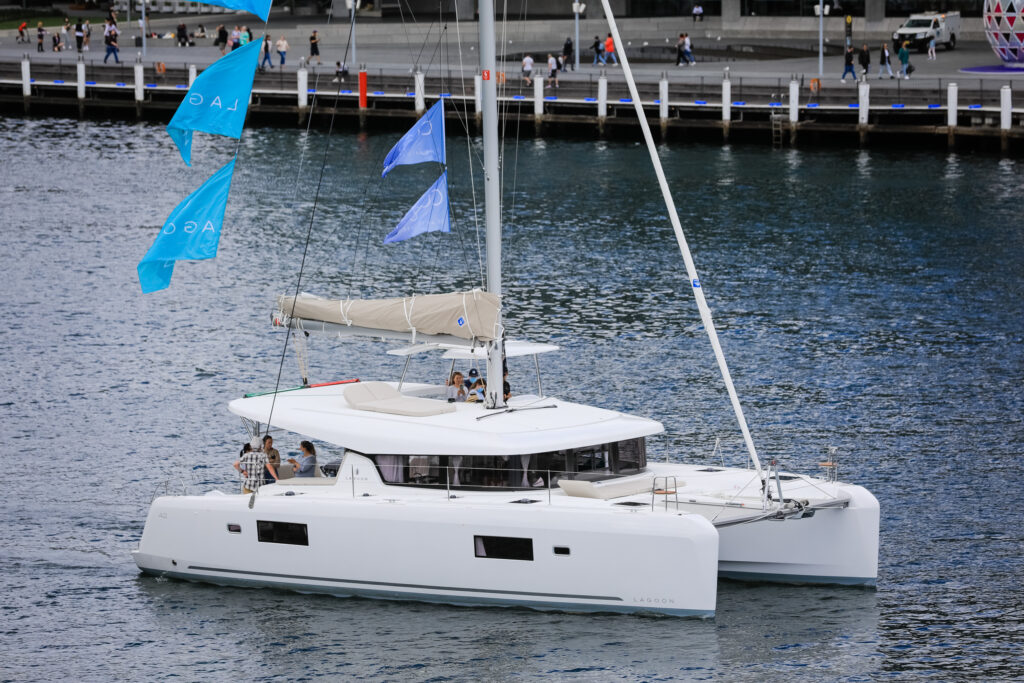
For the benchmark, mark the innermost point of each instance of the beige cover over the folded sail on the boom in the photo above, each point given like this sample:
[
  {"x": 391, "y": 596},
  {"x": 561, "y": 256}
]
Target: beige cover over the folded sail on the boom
[{"x": 472, "y": 315}]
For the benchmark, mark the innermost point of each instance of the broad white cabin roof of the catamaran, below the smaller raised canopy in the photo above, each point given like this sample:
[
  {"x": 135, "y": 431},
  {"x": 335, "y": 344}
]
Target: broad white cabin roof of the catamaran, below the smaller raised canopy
[{"x": 325, "y": 414}]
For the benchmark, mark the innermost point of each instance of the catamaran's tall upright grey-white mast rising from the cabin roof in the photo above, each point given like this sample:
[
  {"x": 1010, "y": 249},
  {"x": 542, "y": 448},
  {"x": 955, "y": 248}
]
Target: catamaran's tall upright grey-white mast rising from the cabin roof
[{"x": 492, "y": 196}]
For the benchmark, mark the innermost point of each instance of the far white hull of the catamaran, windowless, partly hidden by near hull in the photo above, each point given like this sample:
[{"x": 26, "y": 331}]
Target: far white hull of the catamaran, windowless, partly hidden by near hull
[{"x": 836, "y": 546}]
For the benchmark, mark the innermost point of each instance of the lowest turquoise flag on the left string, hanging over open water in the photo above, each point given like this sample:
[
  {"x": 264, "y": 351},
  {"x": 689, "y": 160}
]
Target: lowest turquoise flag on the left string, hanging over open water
[{"x": 192, "y": 232}]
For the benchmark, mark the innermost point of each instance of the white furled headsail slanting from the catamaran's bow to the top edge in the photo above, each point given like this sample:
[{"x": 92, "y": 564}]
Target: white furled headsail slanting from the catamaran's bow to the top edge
[{"x": 677, "y": 228}]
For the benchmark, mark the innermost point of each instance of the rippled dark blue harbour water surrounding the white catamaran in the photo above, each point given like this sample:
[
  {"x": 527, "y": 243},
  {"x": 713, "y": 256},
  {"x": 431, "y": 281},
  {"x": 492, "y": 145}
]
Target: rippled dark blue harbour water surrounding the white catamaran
[{"x": 871, "y": 302}]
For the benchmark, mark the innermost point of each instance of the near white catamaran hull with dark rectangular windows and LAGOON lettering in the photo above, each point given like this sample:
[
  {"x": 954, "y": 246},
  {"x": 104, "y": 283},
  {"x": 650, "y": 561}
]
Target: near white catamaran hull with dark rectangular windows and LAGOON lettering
[{"x": 624, "y": 562}]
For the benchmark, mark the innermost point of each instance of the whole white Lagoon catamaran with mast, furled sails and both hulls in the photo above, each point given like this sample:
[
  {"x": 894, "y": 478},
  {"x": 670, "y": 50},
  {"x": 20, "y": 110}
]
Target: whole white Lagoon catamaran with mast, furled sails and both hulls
[{"x": 529, "y": 500}]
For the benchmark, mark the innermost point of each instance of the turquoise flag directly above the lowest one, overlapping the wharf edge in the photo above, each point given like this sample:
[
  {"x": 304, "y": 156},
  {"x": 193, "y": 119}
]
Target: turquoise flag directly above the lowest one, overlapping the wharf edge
[{"x": 218, "y": 102}]
